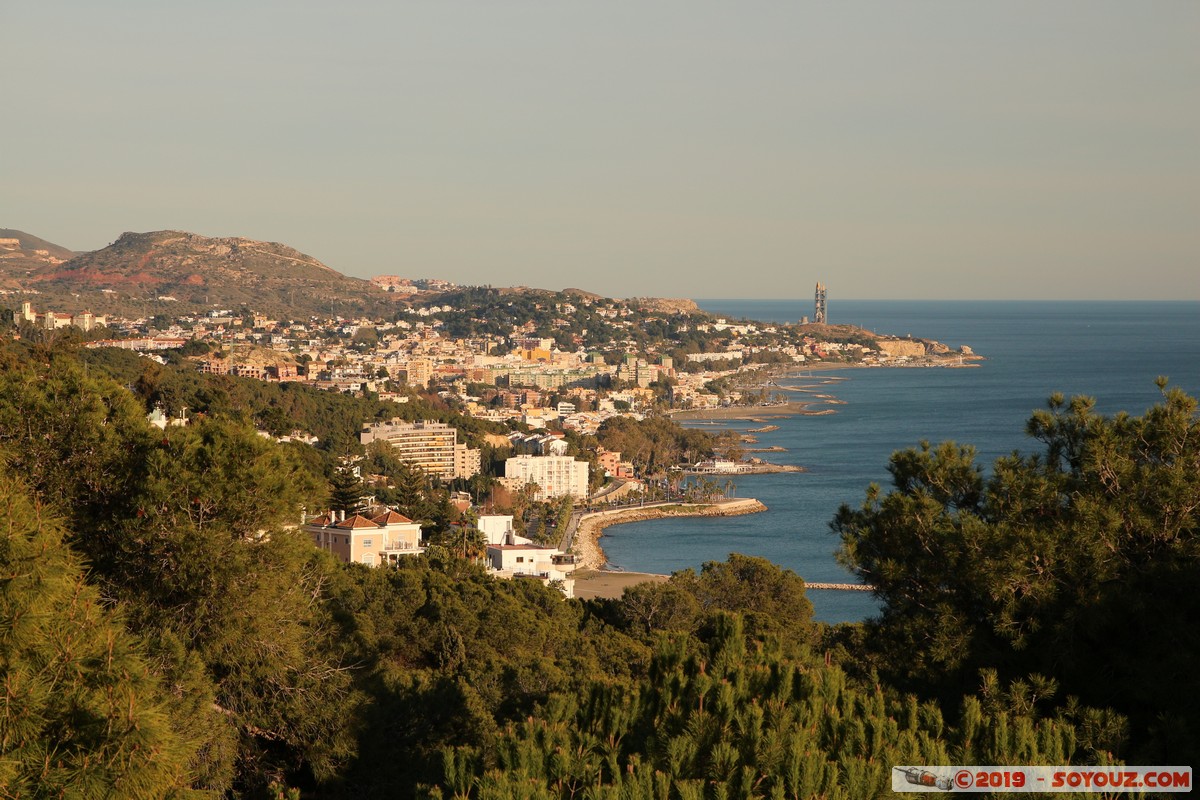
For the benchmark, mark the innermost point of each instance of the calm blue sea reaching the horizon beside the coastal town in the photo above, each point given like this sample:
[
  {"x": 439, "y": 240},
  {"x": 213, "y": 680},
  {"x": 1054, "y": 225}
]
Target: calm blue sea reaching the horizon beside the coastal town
[{"x": 1112, "y": 352}]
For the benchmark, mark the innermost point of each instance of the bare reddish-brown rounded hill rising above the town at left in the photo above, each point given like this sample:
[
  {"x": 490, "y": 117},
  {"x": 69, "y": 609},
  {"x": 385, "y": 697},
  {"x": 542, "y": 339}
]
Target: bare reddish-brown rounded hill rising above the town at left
[{"x": 173, "y": 272}]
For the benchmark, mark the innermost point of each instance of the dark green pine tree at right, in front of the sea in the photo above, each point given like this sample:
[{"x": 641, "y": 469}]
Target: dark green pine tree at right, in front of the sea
[{"x": 1078, "y": 563}]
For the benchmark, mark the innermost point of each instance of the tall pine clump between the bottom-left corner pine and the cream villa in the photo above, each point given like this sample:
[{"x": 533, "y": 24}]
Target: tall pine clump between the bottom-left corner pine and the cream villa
[{"x": 188, "y": 528}]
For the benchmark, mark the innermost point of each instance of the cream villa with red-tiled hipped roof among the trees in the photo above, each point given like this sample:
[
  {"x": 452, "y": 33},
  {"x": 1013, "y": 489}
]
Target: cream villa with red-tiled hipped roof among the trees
[{"x": 374, "y": 542}]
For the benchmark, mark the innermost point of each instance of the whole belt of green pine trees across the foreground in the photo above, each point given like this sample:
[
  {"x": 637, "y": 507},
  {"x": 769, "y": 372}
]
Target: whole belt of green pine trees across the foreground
[{"x": 166, "y": 631}]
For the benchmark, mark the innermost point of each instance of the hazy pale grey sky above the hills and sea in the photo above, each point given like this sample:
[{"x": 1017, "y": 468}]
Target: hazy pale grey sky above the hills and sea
[{"x": 698, "y": 149}]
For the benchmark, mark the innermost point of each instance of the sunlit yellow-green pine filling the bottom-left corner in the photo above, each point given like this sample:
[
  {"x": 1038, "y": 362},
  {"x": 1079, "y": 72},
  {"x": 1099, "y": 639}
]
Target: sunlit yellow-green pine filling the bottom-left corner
[{"x": 83, "y": 714}]
